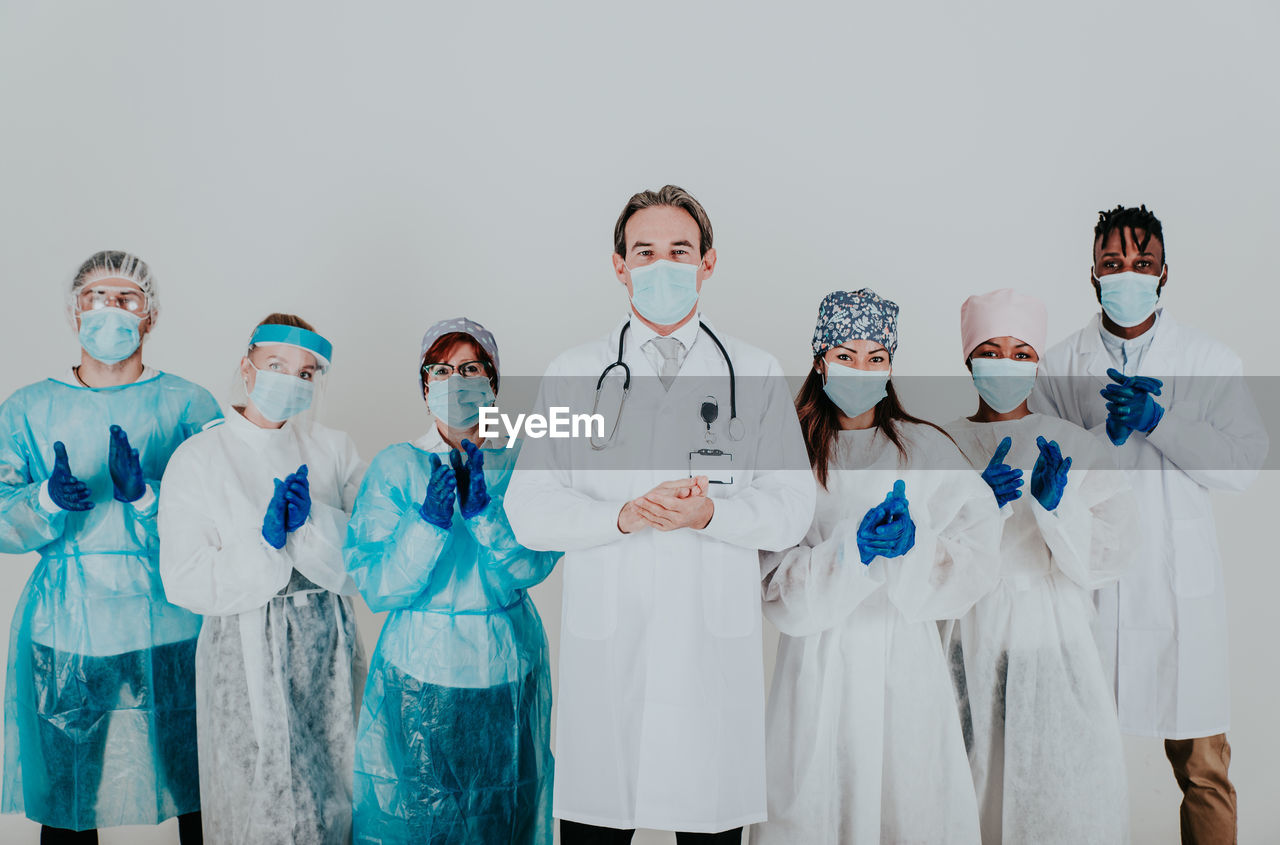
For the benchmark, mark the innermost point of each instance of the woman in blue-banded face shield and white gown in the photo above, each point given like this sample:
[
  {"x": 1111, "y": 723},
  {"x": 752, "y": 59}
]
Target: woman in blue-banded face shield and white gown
[{"x": 253, "y": 517}]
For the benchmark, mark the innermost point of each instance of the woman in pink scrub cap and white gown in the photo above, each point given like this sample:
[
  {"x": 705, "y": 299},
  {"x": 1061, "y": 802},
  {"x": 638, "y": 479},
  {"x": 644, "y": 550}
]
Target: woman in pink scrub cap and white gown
[{"x": 1041, "y": 724}]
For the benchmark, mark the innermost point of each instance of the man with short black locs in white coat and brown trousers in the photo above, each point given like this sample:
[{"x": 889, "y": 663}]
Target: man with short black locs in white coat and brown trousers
[{"x": 1174, "y": 406}]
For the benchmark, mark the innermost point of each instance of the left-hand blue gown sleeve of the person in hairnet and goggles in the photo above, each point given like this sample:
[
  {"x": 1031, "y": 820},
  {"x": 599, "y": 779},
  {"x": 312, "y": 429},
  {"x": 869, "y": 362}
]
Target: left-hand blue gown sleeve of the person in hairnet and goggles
[{"x": 25, "y": 524}]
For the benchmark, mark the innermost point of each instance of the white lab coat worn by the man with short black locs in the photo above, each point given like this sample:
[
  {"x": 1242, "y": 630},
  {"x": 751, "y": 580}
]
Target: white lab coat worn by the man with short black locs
[{"x": 1163, "y": 629}]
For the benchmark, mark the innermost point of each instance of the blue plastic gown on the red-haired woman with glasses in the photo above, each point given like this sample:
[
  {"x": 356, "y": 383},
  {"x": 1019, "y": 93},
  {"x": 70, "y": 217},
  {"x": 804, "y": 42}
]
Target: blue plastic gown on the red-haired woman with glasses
[{"x": 454, "y": 743}]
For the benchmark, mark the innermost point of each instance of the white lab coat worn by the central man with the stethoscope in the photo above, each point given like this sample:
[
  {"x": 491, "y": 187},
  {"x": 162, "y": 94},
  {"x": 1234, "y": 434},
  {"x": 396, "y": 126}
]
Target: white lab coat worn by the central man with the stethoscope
[{"x": 661, "y": 701}]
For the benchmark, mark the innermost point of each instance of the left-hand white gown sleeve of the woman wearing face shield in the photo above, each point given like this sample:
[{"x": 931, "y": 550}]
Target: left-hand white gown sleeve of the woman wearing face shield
[{"x": 208, "y": 567}]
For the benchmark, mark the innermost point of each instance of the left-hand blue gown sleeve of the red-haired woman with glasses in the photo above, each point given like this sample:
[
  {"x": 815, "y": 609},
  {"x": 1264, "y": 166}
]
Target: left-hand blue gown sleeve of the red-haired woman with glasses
[{"x": 391, "y": 551}]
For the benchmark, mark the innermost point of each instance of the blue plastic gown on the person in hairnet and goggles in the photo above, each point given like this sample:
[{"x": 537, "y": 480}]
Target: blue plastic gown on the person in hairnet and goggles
[{"x": 100, "y": 724}]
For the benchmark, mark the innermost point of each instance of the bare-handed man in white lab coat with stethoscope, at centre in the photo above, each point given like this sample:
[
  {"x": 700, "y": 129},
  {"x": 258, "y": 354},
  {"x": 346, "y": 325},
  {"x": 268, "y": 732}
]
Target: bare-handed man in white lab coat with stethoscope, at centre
[{"x": 661, "y": 518}]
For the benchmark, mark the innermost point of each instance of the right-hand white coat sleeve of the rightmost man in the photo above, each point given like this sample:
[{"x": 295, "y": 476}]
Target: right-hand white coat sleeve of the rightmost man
[{"x": 1214, "y": 432}]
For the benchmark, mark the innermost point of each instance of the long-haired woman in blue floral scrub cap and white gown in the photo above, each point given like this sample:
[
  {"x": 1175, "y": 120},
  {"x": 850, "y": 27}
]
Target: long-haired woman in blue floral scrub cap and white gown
[{"x": 863, "y": 739}]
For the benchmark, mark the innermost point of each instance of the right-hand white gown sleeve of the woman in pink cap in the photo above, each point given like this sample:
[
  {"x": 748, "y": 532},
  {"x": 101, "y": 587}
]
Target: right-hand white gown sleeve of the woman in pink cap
[{"x": 1091, "y": 535}]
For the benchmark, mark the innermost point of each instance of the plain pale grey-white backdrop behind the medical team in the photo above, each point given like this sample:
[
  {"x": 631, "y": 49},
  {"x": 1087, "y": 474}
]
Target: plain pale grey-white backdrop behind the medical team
[{"x": 377, "y": 167}]
